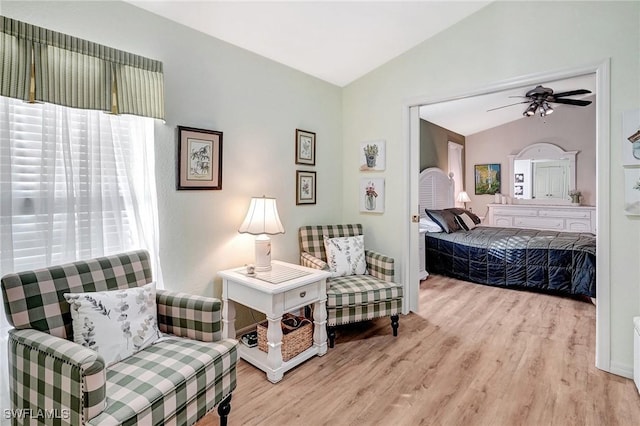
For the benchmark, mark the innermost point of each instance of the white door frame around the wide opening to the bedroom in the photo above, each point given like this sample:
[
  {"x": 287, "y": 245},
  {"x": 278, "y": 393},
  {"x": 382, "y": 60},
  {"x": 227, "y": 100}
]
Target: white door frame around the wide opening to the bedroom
[{"x": 411, "y": 134}]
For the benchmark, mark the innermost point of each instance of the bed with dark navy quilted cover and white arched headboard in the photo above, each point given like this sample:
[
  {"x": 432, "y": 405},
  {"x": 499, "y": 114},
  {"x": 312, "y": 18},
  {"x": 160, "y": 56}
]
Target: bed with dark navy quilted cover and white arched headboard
[{"x": 549, "y": 261}]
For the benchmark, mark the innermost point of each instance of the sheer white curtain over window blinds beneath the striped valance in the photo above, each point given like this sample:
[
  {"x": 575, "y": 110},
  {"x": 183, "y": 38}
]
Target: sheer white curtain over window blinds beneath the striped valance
[{"x": 74, "y": 184}]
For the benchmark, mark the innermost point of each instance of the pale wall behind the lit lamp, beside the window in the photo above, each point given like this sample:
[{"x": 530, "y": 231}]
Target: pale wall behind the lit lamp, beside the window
[{"x": 255, "y": 102}]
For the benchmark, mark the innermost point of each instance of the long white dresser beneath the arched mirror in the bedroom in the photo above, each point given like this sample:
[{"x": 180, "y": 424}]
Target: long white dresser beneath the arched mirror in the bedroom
[{"x": 557, "y": 218}]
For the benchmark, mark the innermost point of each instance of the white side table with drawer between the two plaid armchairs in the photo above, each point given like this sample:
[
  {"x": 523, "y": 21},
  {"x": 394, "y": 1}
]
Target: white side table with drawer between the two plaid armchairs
[{"x": 306, "y": 286}]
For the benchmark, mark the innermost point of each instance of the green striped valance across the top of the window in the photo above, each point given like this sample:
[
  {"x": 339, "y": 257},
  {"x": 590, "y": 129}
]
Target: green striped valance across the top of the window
[{"x": 37, "y": 64}]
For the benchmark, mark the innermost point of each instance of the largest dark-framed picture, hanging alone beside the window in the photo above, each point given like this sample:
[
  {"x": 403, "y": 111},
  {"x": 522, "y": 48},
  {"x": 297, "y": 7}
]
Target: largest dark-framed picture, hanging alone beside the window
[{"x": 199, "y": 159}]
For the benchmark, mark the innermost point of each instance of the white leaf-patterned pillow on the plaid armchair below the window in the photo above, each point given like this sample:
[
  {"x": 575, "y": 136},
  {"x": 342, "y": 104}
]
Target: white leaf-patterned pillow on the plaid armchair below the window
[{"x": 115, "y": 323}]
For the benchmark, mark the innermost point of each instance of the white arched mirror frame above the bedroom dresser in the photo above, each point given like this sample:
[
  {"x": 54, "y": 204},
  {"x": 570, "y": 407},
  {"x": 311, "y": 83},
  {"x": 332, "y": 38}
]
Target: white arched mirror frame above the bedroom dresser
[{"x": 543, "y": 151}]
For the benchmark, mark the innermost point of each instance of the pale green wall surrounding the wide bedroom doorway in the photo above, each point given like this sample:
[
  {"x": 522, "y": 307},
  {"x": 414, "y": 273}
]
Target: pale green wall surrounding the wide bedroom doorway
[{"x": 501, "y": 42}]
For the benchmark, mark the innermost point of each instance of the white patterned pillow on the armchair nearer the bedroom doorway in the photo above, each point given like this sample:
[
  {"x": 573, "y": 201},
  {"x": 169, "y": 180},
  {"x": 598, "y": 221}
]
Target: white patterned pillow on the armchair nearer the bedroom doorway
[{"x": 345, "y": 255}]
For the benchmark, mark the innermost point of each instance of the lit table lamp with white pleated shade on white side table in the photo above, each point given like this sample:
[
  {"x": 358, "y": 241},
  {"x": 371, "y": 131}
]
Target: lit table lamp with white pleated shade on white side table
[{"x": 262, "y": 220}]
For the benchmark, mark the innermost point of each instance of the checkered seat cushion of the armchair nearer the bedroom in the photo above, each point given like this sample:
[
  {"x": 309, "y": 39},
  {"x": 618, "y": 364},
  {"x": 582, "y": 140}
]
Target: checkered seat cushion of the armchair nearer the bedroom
[{"x": 358, "y": 290}]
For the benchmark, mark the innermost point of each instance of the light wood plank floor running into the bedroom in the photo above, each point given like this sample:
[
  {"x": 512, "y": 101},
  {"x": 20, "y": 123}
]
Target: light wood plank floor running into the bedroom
[{"x": 475, "y": 355}]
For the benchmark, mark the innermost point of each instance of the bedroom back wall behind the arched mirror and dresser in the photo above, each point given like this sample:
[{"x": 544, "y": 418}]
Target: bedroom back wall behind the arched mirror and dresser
[{"x": 570, "y": 128}]
